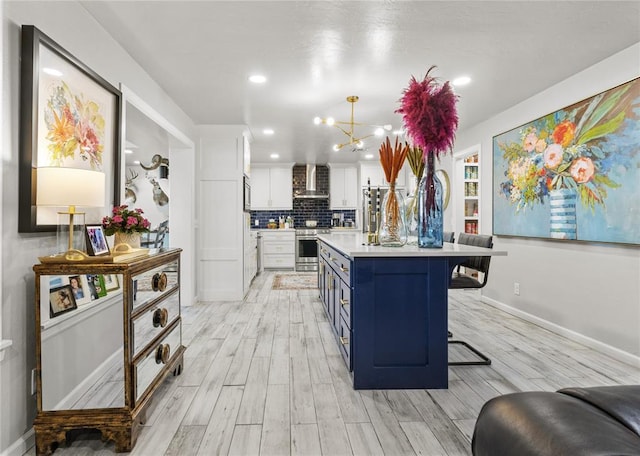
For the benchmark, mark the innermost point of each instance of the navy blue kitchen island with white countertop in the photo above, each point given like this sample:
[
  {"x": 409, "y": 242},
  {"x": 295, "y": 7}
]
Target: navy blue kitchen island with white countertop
[{"x": 388, "y": 308}]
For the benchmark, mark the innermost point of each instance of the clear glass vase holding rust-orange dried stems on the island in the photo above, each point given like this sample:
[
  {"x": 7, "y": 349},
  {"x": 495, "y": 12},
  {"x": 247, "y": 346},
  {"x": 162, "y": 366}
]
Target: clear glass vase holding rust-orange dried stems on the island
[{"x": 393, "y": 229}]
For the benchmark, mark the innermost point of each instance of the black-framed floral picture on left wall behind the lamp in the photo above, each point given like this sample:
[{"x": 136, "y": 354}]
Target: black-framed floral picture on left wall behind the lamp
[{"x": 69, "y": 118}]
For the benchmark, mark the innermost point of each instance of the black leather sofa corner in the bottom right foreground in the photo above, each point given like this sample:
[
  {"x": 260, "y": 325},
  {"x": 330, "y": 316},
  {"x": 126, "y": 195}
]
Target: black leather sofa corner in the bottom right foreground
[{"x": 572, "y": 421}]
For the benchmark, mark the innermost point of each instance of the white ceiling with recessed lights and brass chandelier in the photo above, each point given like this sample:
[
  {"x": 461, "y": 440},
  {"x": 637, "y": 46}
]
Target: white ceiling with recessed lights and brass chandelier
[{"x": 317, "y": 53}]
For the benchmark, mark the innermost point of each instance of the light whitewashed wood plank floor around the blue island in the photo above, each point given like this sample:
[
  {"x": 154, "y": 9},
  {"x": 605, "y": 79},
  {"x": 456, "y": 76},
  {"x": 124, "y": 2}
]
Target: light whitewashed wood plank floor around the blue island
[{"x": 264, "y": 377}]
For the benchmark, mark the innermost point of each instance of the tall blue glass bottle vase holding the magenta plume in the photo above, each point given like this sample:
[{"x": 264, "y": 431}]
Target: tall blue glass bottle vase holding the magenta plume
[{"x": 430, "y": 224}]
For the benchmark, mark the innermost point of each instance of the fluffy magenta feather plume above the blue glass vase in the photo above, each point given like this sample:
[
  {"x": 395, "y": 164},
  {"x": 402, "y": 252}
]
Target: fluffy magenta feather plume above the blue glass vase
[{"x": 429, "y": 114}]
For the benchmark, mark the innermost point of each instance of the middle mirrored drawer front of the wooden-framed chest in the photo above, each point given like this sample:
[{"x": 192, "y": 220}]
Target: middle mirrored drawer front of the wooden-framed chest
[{"x": 153, "y": 321}]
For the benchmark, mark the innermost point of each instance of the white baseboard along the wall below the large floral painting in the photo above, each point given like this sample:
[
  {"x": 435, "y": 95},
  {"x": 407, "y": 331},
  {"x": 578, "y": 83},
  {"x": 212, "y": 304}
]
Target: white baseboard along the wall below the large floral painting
[{"x": 614, "y": 352}]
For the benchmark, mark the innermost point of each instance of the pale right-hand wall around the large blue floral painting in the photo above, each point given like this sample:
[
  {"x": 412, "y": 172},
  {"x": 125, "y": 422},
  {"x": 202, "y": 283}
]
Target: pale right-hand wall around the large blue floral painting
[{"x": 590, "y": 291}]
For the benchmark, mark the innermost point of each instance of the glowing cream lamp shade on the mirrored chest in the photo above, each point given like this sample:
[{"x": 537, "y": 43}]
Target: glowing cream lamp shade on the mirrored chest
[{"x": 58, "y": 186}]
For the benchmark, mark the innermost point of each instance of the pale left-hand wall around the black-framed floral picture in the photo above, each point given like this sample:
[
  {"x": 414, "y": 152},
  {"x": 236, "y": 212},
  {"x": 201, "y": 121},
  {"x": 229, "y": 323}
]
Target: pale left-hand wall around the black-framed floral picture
[{"x": 69, "y": 24}]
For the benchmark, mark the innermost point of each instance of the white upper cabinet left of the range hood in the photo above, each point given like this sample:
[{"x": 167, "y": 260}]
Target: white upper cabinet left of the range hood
[{"x": 271, "y": 187}]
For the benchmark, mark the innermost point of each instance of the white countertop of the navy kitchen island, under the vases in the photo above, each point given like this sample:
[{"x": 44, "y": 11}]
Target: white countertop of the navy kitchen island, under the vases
[{"x": 352, "y": 245}]
